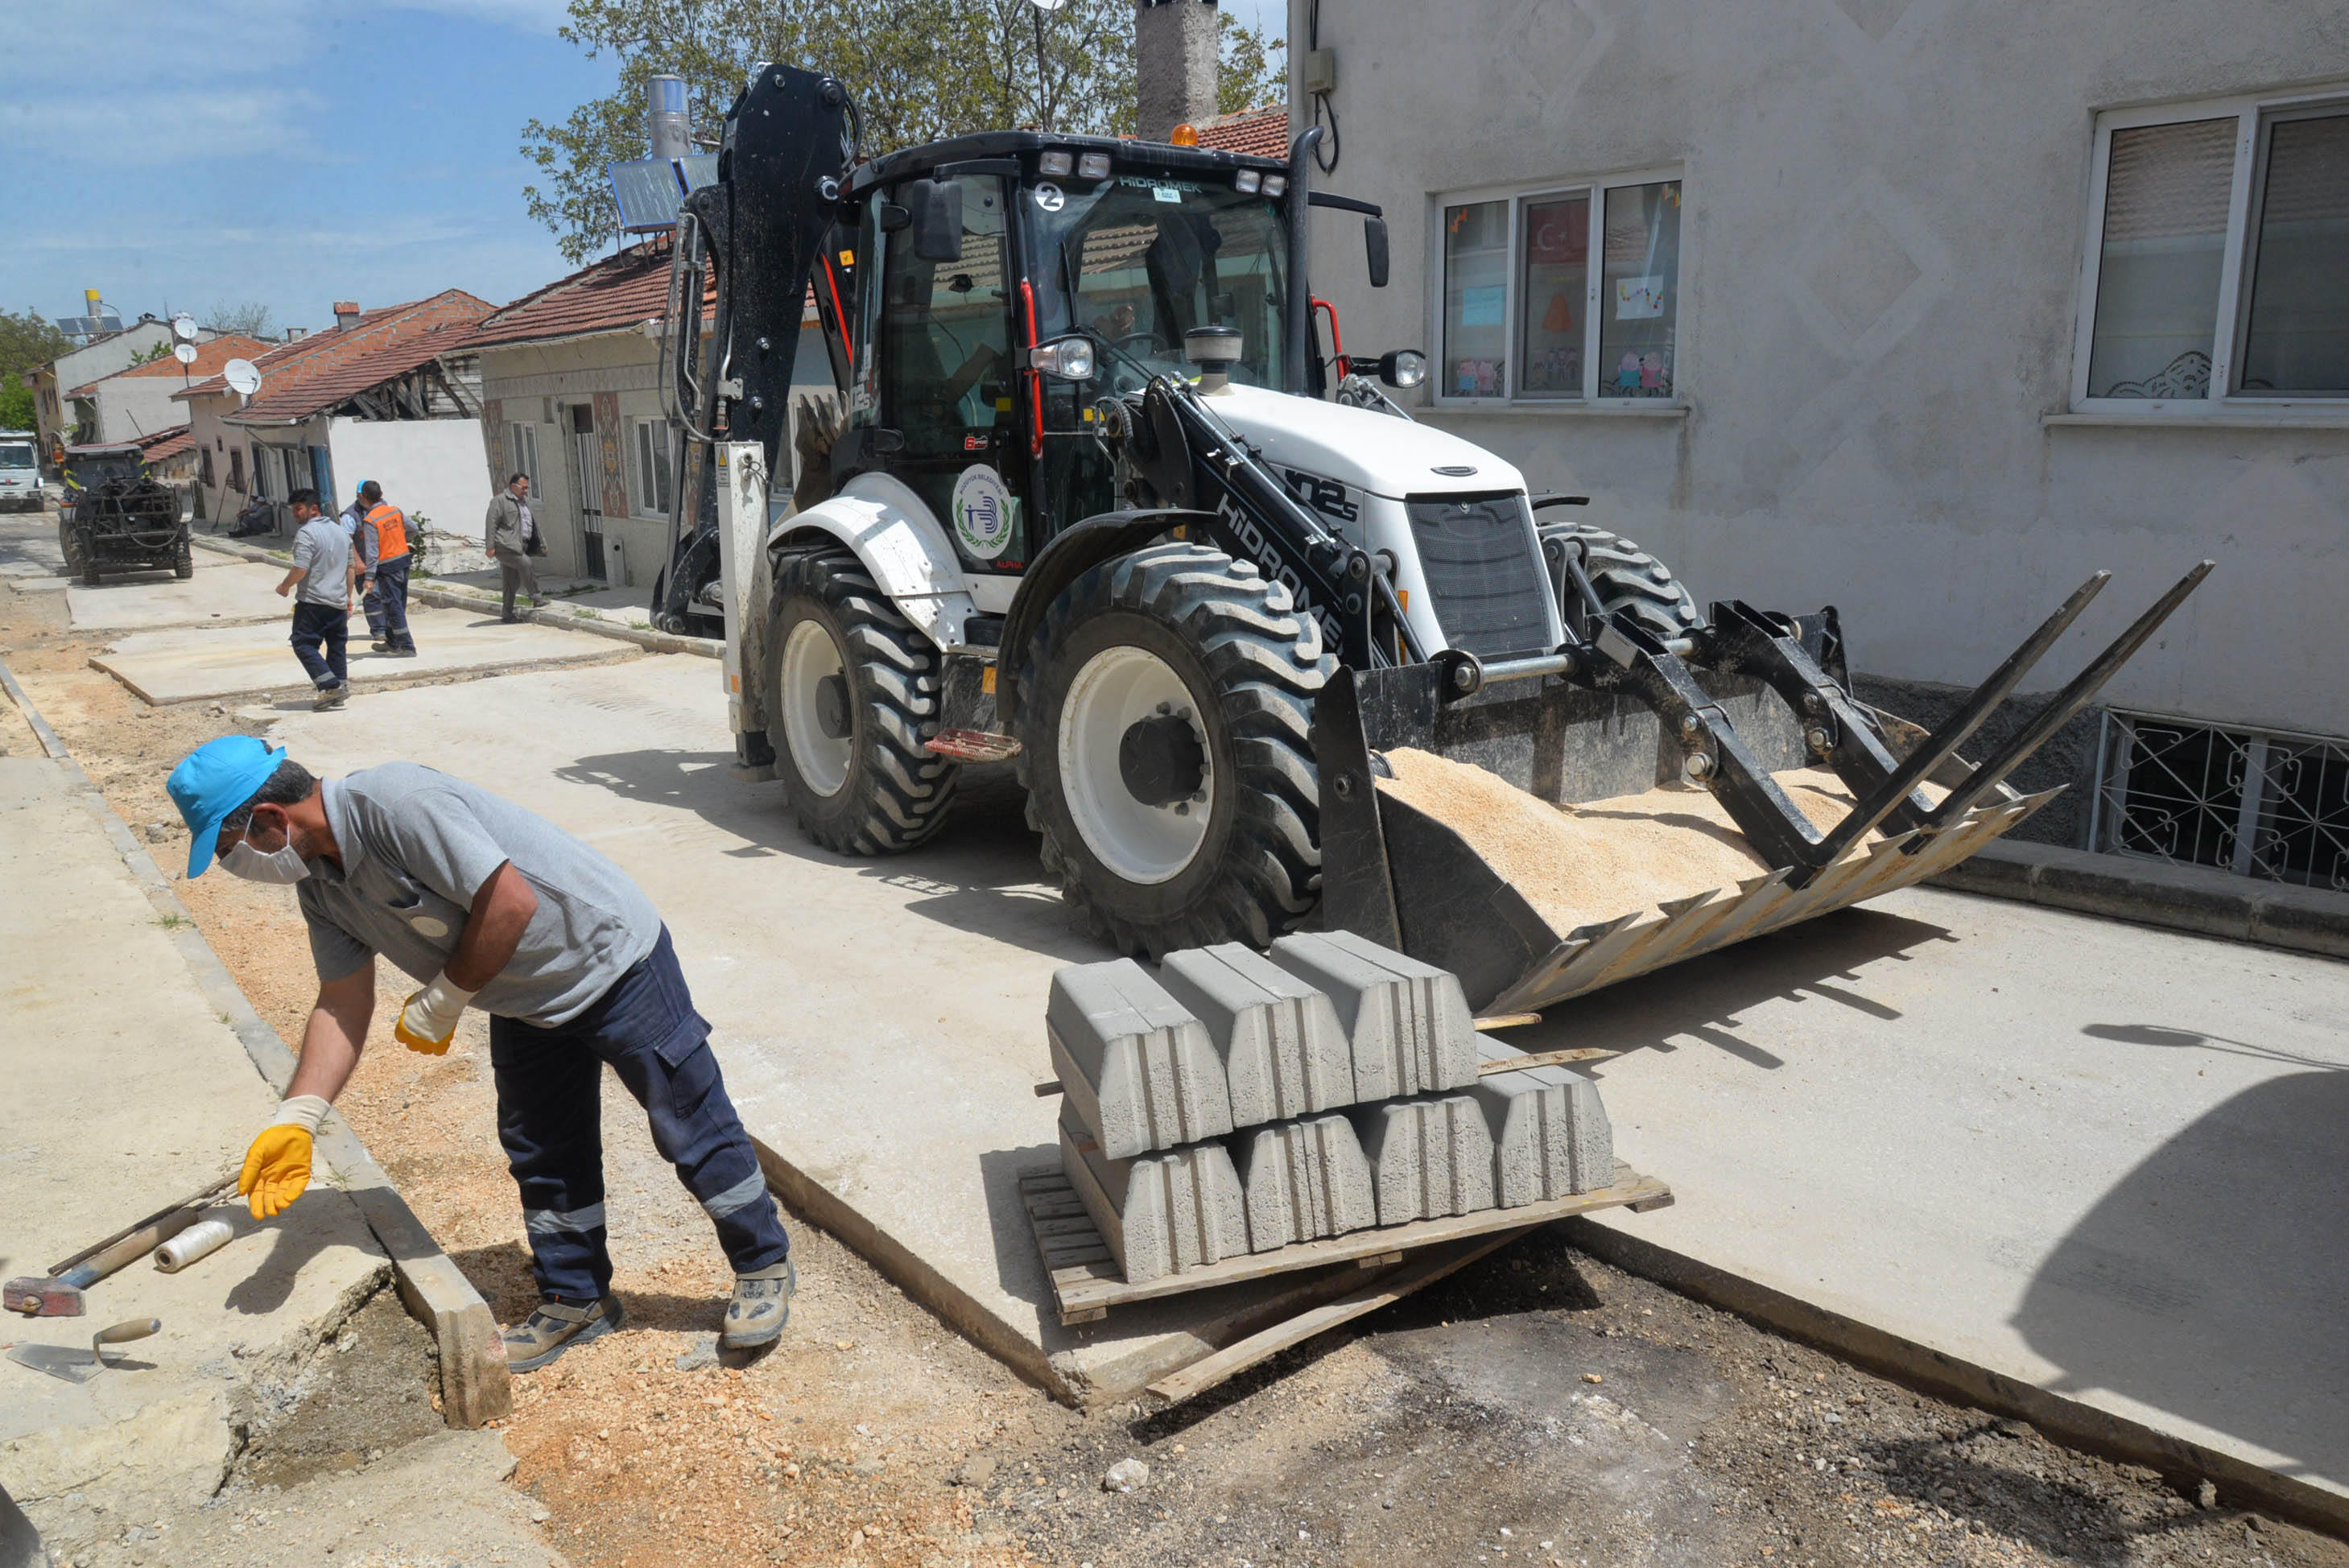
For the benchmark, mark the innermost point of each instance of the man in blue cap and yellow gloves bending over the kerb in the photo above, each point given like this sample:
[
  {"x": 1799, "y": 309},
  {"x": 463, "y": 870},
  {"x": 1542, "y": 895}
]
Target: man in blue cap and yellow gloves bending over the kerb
[{"x": 492, "y": 907}]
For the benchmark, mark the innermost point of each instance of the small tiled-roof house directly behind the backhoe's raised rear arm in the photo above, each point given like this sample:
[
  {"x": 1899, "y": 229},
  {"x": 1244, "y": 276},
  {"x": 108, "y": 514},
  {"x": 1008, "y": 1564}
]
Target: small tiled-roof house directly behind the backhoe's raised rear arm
[{"x": 572, "y": 398}]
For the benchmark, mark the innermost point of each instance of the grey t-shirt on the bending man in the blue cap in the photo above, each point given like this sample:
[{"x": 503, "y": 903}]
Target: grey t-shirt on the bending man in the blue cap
[{"x": 419, "y": 844}]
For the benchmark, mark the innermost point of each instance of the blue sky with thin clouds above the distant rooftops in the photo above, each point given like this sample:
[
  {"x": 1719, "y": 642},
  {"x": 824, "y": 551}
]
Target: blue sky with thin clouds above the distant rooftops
[{"x": 283, "y": 151}]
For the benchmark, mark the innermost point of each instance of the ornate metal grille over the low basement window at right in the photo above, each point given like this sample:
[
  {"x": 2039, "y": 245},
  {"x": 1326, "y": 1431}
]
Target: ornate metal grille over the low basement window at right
[{"x": 2249, "y": 802}]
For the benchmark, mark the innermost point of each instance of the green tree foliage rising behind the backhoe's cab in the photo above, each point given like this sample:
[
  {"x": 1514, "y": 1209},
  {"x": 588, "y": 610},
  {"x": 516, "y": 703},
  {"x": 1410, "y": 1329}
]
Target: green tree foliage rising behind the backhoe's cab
[{"x": 917, "y": 69}]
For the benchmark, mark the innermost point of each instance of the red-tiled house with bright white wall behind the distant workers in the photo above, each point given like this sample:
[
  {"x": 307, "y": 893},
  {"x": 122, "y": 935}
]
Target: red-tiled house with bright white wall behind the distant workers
[{"x": 386, "y": 396}]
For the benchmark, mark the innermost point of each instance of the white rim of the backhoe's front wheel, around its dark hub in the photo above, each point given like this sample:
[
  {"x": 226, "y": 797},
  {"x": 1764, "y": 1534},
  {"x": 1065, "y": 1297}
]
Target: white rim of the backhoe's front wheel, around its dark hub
[{"x": 1138, "y": 844}]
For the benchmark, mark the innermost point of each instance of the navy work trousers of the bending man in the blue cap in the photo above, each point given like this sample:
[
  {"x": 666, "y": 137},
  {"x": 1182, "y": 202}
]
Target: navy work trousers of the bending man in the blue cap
[{"x": 551, "y": 1121}]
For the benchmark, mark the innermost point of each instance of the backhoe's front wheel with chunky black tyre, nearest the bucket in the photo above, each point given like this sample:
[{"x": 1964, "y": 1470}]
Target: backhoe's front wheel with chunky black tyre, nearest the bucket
[{"x": 1164, "y": 743}]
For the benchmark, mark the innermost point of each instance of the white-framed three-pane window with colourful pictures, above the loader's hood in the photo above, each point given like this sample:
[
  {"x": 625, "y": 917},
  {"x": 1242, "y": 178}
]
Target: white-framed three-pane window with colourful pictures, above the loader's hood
[{"x": 1559, "y": 295}]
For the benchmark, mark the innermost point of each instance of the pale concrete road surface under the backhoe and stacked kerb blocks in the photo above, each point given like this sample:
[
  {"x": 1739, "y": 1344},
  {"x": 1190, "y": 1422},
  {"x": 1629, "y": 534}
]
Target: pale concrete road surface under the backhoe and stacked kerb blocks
[{"x": 2073, "y": 1151}]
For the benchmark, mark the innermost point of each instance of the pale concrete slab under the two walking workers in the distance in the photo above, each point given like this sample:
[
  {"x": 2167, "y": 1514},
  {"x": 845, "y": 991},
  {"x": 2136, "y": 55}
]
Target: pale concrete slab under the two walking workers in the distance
[{"x": 194, "y": 663}]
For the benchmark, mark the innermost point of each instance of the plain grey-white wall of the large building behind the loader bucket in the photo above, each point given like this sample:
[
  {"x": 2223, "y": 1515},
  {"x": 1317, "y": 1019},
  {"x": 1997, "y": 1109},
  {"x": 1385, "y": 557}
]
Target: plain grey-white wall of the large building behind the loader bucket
[{"x": 1883, "y": 231}]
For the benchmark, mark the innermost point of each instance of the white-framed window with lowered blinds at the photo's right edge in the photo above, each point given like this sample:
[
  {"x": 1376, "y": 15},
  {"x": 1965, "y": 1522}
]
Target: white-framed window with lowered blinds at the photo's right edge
[{"x": 2219, "y": 255}]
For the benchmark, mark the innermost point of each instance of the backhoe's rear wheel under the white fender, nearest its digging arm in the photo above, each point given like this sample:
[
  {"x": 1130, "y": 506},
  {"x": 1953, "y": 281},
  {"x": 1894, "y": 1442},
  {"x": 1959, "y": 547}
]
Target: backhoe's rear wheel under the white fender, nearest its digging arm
[{"x": 852, "y": 696}]
